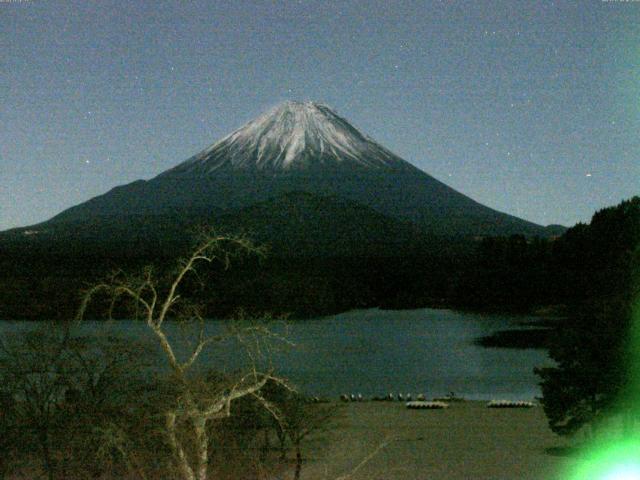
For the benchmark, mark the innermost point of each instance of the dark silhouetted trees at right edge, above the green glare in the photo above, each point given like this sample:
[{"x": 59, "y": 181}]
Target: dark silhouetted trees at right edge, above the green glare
[{"x": 592, "y": 349}]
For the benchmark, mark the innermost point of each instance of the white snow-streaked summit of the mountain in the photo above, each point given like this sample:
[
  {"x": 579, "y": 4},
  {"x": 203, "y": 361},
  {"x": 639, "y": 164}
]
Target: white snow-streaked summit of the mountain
[{"x": 293, "y": 136}]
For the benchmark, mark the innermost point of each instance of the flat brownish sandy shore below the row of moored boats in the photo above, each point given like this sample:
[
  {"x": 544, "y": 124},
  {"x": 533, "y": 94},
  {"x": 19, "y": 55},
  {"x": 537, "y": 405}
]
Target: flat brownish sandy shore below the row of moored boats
[{"x": 465, "y": 441}]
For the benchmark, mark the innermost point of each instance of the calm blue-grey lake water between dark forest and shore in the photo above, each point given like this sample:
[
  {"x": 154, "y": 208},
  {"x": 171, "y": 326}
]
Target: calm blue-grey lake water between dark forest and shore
[{"x": 375, "y": 352}]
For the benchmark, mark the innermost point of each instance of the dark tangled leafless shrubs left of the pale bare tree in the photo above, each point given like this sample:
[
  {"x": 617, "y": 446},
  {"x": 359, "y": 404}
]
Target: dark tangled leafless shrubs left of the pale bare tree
[{"x": 60, "y": 390}]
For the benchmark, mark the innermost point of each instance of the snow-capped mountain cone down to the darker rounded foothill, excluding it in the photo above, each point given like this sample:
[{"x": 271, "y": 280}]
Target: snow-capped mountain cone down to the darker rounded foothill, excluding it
[{"x": 303, "y": 147}]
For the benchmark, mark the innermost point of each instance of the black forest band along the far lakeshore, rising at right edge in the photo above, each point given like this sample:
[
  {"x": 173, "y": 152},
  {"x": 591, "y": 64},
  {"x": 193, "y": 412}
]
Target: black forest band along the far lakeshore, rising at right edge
[{"x": 42, "y": 280}]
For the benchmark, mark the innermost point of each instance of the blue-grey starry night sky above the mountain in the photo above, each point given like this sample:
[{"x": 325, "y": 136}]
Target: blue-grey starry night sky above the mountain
[{"x": 531, "y": 108}]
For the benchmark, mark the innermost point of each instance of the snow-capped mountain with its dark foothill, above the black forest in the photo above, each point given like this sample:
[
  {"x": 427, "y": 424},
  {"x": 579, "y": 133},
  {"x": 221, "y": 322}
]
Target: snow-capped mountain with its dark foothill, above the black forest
[{"x": 298, "y": 156}]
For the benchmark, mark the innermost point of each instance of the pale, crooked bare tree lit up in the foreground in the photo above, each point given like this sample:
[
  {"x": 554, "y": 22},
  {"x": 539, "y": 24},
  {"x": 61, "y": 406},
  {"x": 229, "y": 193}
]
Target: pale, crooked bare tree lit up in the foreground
[{"x": 195, "y": 404}]
